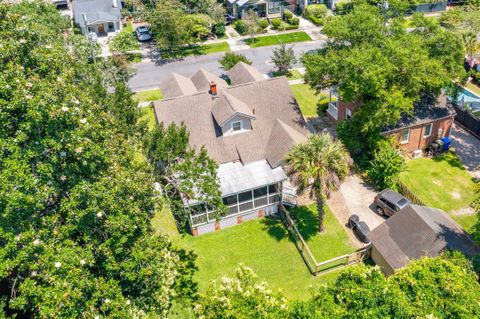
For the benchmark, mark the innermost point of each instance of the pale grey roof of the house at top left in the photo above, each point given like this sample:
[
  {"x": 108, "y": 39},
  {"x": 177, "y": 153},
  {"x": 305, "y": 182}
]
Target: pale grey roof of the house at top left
[{"x": 96, "y": 10}]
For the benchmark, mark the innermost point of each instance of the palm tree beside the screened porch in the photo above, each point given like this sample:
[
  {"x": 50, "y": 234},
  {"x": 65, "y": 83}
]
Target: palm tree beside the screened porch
[{"x": 318, "y": 165}]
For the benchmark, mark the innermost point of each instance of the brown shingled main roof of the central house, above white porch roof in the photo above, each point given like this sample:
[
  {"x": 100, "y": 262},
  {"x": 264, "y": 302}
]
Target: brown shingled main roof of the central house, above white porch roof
[{"x": 278, "y": 124}]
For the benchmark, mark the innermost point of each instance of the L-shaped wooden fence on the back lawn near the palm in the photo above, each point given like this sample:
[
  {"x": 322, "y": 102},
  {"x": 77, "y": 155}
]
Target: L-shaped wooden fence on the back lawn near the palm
[{"x": 320, "y": 268}]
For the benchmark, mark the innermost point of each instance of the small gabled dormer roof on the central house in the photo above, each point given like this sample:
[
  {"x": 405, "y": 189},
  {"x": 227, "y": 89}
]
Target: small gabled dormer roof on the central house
[{"x": 227, "y": 106}]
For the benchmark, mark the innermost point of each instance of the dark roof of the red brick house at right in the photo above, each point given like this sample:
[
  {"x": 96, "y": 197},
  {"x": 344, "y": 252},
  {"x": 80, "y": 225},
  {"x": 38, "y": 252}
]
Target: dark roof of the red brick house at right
[{"x": 427, "y": 109}]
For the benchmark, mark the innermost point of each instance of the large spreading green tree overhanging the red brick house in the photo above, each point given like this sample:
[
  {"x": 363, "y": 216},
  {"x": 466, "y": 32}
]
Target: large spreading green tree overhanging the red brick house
[{"x": 367, "y": 60}]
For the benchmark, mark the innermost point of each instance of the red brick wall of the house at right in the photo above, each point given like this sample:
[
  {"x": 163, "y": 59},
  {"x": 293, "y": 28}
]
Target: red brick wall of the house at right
[{"x": 417, "y": 141}]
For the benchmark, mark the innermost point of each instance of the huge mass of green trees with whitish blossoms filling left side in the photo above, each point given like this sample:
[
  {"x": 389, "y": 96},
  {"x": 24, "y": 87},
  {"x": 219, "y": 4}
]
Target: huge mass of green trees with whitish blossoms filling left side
[{"x": 75, "y": 234}]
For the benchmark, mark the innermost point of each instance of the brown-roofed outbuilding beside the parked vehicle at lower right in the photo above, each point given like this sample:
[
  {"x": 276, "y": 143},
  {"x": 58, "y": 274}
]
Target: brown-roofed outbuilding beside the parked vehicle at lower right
[{"x": 415, "y": 232}]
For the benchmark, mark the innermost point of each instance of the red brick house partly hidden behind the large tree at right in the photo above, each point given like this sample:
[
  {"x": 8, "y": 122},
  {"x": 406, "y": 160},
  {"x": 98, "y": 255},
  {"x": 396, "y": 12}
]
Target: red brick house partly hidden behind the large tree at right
[{"x": 430, "y": 119}]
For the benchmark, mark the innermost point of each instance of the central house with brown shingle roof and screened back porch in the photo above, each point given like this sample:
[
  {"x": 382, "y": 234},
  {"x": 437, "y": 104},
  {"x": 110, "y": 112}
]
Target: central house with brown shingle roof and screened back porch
[{"x": 247, "y": 128}]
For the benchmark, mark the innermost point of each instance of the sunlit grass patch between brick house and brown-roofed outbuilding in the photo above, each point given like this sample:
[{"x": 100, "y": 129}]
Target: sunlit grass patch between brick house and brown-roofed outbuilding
[{"x": 440, "y": 182}]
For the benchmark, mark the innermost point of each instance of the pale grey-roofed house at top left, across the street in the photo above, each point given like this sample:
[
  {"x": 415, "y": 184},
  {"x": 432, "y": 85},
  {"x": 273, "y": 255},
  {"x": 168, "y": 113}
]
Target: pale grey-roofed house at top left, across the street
[{"x": 98, "y": 16}]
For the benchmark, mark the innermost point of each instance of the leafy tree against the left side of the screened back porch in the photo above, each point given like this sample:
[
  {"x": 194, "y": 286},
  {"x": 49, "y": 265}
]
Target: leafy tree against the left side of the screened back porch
[{"x": 183, "y": 173}]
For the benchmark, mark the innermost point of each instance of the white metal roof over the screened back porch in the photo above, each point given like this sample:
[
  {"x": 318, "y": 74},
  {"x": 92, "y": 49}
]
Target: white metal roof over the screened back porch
[{"x": 236, "y": 177}]
